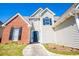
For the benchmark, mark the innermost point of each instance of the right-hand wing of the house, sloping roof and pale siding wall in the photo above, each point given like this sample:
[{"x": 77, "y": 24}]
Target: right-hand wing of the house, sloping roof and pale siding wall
[{"x": 67, "y": 28}]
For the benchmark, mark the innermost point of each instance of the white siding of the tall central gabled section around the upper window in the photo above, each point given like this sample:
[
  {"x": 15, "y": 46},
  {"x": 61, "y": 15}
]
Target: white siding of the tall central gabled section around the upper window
[{"x": 47, "y": 34}]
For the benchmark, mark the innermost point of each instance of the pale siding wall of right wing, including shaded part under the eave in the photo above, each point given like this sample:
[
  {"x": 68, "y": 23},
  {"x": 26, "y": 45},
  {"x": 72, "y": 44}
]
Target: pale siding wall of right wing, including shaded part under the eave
[{"x": 67, "y": 33}]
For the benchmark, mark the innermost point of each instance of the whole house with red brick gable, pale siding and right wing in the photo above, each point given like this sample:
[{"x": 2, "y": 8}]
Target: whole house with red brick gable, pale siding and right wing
[{"x": 44, "y": 26}]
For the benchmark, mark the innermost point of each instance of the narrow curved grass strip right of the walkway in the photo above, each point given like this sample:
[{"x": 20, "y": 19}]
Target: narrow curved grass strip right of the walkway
[{"x": 60, "y": 52}]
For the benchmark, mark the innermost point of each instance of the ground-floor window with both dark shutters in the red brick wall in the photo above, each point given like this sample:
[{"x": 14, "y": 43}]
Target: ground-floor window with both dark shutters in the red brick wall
[{"x": 15, "y": 34}]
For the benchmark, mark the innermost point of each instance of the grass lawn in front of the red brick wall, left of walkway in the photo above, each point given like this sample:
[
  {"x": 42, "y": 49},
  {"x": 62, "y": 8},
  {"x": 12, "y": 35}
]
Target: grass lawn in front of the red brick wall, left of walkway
[{"x": 11, "y": 49}]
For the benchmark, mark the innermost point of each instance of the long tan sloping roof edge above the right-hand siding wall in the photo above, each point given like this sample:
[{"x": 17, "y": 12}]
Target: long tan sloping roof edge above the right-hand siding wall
[{"x": 66, "y": 15}]
